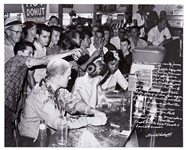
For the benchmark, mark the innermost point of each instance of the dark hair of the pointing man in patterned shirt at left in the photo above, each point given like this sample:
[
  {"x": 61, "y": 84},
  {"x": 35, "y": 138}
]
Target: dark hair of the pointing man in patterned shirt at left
[{"x": 22, "y": 45}]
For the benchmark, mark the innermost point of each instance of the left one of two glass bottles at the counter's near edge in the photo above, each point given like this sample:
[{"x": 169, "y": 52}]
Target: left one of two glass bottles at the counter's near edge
[{"x": 42, "y": 140}]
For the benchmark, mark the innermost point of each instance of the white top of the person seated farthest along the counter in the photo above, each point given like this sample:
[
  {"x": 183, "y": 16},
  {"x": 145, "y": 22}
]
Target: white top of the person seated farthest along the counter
[{"x": 110, "y": 83}]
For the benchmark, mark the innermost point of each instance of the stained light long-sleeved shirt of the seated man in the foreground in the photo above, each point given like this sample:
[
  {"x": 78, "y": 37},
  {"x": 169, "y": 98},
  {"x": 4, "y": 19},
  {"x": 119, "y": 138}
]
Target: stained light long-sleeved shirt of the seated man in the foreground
[{"x": 40, "y": 105}]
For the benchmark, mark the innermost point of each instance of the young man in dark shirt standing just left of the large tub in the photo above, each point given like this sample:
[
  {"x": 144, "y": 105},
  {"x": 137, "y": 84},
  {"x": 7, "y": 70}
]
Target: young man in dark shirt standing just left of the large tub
[{"x": 125, "y": 56}]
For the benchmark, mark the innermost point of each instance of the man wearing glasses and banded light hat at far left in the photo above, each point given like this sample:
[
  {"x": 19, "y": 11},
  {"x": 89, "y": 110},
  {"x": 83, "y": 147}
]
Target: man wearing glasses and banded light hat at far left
[{"x": 13, "y": 30}]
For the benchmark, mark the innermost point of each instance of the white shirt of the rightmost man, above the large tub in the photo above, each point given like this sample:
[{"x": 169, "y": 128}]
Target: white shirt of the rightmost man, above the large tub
[{"x": 157, "y": 37}]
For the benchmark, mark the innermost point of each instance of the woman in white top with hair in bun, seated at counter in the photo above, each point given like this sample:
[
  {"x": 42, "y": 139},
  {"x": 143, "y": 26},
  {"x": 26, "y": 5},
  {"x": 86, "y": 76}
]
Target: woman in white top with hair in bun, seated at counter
[{"x": 86, "y": 87}]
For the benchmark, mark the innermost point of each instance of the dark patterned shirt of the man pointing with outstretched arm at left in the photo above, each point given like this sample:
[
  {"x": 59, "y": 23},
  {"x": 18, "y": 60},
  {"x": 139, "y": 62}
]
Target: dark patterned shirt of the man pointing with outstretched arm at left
[{"x": 15, "y": 72}]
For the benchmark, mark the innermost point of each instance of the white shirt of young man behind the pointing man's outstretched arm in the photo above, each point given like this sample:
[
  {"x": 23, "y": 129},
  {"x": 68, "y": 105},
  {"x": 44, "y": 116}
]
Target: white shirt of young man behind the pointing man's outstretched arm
[{"x": 39, "y": 52}]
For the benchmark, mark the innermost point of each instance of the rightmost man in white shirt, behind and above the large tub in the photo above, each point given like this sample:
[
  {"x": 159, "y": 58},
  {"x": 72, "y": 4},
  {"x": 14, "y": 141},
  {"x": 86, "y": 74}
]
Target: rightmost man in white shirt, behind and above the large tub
[{"x": 159, "y": 35}]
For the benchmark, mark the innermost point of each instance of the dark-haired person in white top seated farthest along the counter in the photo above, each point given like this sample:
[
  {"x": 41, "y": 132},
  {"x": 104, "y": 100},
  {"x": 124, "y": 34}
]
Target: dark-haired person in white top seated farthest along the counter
[{"x": 114, "y": 76}]
